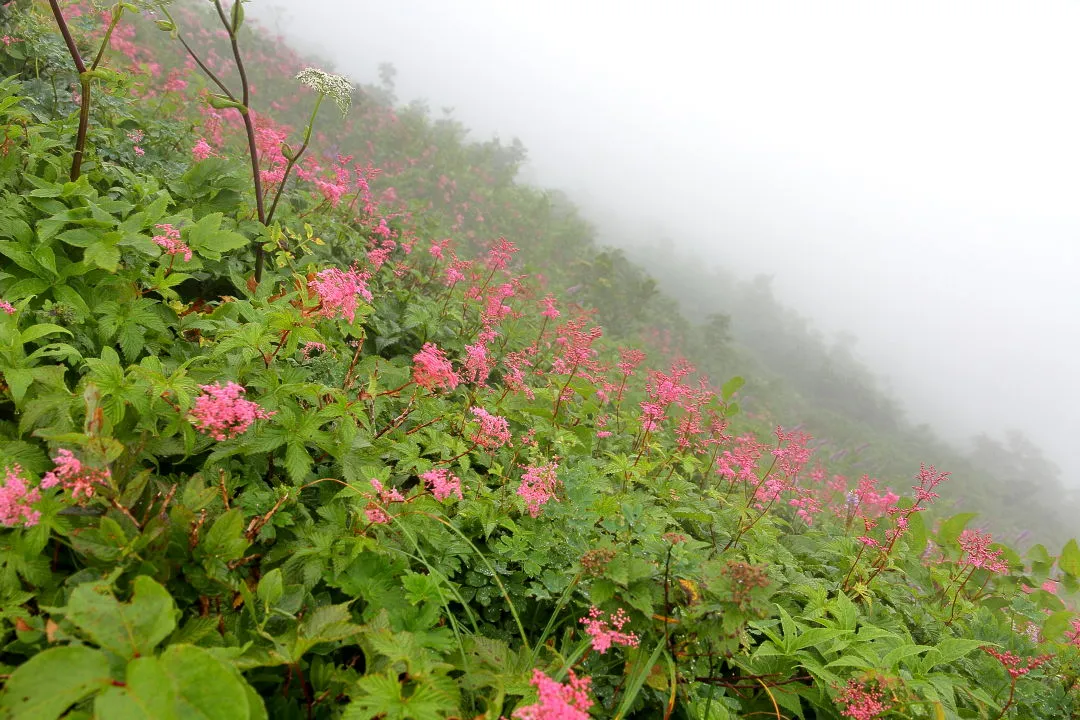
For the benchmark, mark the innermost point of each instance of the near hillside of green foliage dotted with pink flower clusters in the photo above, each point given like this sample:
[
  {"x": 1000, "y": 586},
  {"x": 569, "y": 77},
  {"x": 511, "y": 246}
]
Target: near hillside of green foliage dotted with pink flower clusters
[{"x": 292, "y": 427}]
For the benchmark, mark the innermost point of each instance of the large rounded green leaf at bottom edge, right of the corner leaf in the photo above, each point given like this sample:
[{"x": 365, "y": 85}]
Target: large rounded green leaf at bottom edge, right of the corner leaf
[{"x": 185, "y": 683}]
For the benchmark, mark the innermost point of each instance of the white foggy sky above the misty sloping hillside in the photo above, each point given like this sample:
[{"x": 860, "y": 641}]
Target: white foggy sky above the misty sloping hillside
[{"x": 908, "y": 171}]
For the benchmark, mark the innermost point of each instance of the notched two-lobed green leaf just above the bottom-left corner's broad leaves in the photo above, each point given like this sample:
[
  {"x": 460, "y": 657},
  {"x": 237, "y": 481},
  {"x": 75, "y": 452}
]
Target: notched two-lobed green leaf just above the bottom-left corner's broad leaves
[{"x": 126, "y": 629}]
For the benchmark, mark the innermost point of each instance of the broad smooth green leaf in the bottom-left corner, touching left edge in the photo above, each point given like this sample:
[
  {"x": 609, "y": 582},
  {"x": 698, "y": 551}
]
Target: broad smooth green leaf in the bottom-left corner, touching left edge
[{"x": 49, "y": 684}]
